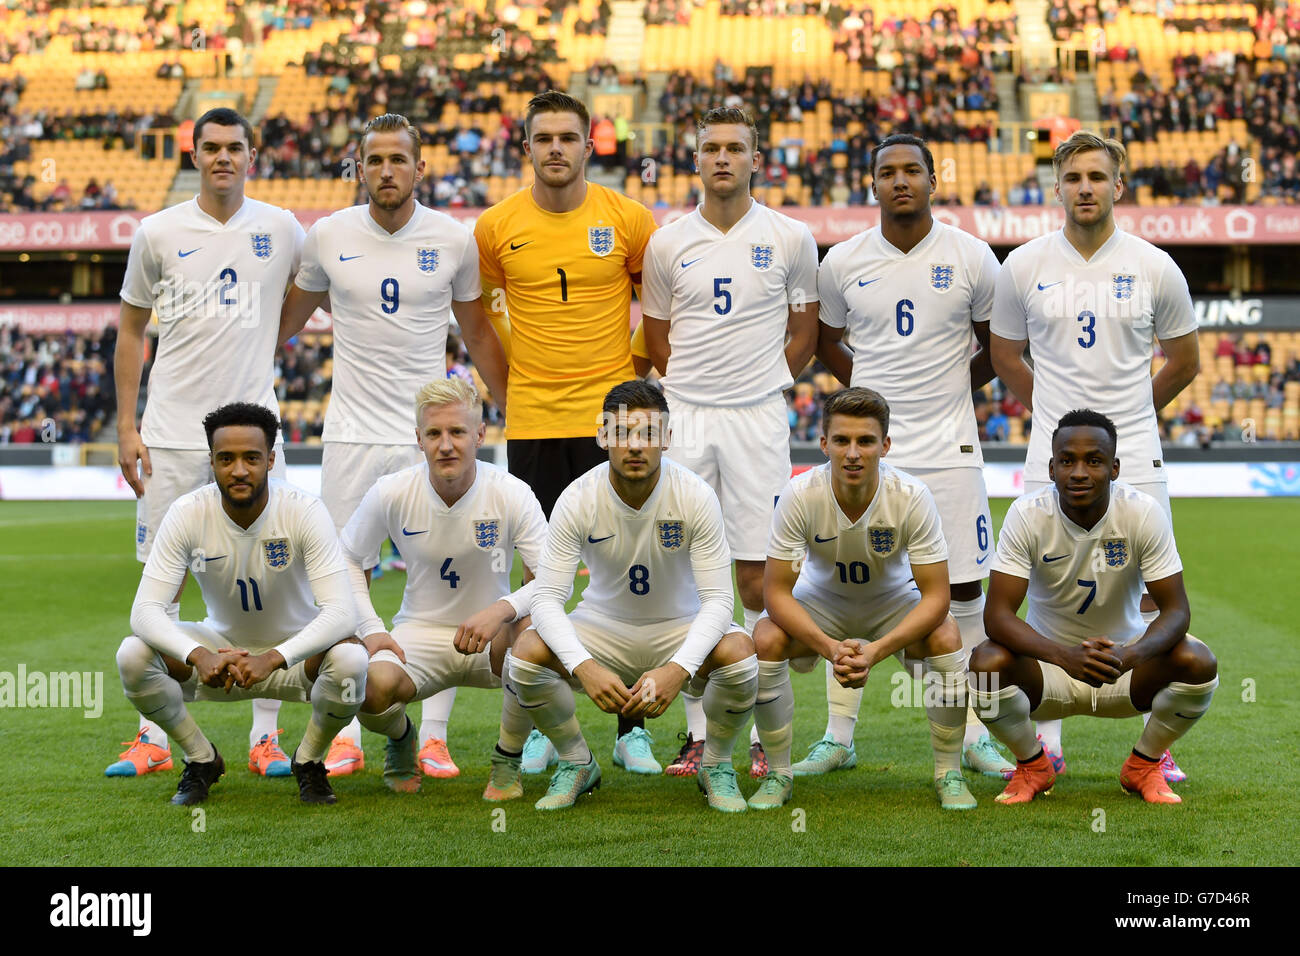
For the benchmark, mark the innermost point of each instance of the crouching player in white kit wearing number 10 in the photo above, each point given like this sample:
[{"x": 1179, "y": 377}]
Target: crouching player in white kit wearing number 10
[{"x": 857, "y": 570}]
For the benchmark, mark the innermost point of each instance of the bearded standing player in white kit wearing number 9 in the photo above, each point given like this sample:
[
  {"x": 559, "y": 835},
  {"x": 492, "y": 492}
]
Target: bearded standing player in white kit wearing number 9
[{"x": 392, "y": 270}]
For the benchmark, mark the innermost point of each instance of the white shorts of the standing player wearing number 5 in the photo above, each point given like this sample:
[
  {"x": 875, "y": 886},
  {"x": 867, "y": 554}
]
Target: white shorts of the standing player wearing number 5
[{"x": 744, "y": 455}]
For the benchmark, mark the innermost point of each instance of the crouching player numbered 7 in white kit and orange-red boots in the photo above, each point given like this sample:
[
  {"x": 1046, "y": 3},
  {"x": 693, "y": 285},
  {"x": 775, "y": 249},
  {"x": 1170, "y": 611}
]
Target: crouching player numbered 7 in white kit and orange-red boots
[{"x": 1082, "y": 548}]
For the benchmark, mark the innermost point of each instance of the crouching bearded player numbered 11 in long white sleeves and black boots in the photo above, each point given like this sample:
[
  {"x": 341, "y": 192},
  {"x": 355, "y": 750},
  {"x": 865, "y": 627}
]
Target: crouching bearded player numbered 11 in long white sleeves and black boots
[{"x": 280, "y": 609}]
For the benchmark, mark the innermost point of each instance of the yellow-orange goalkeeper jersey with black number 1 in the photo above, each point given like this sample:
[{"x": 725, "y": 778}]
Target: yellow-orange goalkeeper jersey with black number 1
[{"x": 558, "y": 288}]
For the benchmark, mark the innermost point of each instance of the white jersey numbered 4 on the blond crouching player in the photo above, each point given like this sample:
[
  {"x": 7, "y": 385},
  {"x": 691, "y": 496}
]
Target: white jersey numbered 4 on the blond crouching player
[{"x": 458, "y": 559}]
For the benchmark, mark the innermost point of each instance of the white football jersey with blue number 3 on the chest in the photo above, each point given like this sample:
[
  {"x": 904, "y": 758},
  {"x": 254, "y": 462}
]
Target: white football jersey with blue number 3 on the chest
[{"x": 1090, "y": 326}]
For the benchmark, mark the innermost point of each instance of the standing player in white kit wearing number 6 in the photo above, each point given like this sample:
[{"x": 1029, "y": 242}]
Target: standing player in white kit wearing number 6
[{"x": 915, "y": 297}]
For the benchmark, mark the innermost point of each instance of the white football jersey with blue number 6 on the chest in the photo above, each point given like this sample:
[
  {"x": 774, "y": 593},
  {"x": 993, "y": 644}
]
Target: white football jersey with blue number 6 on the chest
[{"x": 908, "y": 318}]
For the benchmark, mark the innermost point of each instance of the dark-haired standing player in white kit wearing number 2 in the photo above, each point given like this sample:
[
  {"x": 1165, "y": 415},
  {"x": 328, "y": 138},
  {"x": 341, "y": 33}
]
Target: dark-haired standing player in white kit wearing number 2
[{"x": 215, "y": 270}]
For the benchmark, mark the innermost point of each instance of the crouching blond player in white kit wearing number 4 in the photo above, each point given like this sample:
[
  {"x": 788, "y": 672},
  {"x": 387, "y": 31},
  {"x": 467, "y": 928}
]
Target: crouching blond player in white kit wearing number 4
[{"x": 460, "y": 522}]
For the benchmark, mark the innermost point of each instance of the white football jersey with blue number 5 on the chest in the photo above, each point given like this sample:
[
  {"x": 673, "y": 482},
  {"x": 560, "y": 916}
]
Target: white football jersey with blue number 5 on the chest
[{"x": 729, "y": 299}]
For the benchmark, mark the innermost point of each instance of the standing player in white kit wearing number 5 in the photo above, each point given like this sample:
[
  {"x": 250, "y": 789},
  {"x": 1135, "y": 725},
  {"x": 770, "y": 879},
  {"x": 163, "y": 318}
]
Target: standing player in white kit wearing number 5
[{"x": 731, "y": 318}]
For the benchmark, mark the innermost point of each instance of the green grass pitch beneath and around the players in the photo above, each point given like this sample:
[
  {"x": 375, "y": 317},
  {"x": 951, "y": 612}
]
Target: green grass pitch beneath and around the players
[{"x": 68, "y": 576}]
